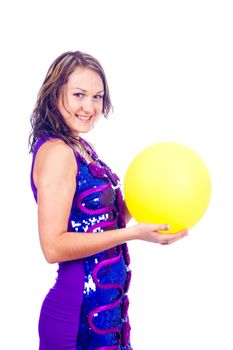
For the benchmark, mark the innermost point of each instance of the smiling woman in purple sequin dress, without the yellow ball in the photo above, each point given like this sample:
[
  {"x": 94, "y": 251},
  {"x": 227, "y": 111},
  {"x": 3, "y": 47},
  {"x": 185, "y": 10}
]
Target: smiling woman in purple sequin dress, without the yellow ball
[{"x": 81, "y": 213}]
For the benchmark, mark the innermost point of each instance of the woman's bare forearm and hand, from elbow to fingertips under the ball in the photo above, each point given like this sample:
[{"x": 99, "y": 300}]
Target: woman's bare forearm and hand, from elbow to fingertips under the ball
[{"x": 72, "y": 245}]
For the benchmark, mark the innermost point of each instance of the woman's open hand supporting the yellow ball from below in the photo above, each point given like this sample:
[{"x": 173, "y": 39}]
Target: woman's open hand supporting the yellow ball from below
[{"x": 152, "y": 233}]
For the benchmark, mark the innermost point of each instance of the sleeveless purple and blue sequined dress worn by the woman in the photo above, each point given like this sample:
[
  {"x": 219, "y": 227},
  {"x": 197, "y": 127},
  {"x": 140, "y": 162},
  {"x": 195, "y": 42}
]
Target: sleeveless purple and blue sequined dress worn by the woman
[{"x": 87, "y": 308}]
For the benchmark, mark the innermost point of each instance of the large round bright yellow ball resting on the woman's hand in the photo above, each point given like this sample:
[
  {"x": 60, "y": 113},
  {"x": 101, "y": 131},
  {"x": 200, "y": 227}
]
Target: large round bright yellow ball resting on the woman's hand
[{"x": 167, "y": 183}]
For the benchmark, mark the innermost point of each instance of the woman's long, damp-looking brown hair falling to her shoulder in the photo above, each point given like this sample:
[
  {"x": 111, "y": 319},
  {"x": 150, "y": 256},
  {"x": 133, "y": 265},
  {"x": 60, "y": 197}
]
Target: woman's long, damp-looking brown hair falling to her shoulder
[{"x": 46, "y": 118}]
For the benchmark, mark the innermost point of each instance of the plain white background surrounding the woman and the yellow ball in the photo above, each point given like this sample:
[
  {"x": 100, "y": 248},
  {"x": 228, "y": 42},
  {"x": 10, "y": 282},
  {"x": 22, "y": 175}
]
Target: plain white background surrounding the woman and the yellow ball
[{"x": 169, "y": 66}]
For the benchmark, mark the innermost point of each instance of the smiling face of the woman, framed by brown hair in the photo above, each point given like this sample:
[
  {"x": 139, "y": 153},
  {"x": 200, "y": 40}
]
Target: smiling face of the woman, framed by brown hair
[{"x": 81, "y": 100}]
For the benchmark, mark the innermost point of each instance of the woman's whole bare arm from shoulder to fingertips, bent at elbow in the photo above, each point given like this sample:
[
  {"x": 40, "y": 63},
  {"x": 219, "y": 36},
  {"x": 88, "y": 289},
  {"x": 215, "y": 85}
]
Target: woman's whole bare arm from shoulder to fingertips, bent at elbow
[{"x": 55, "y": 178}]
